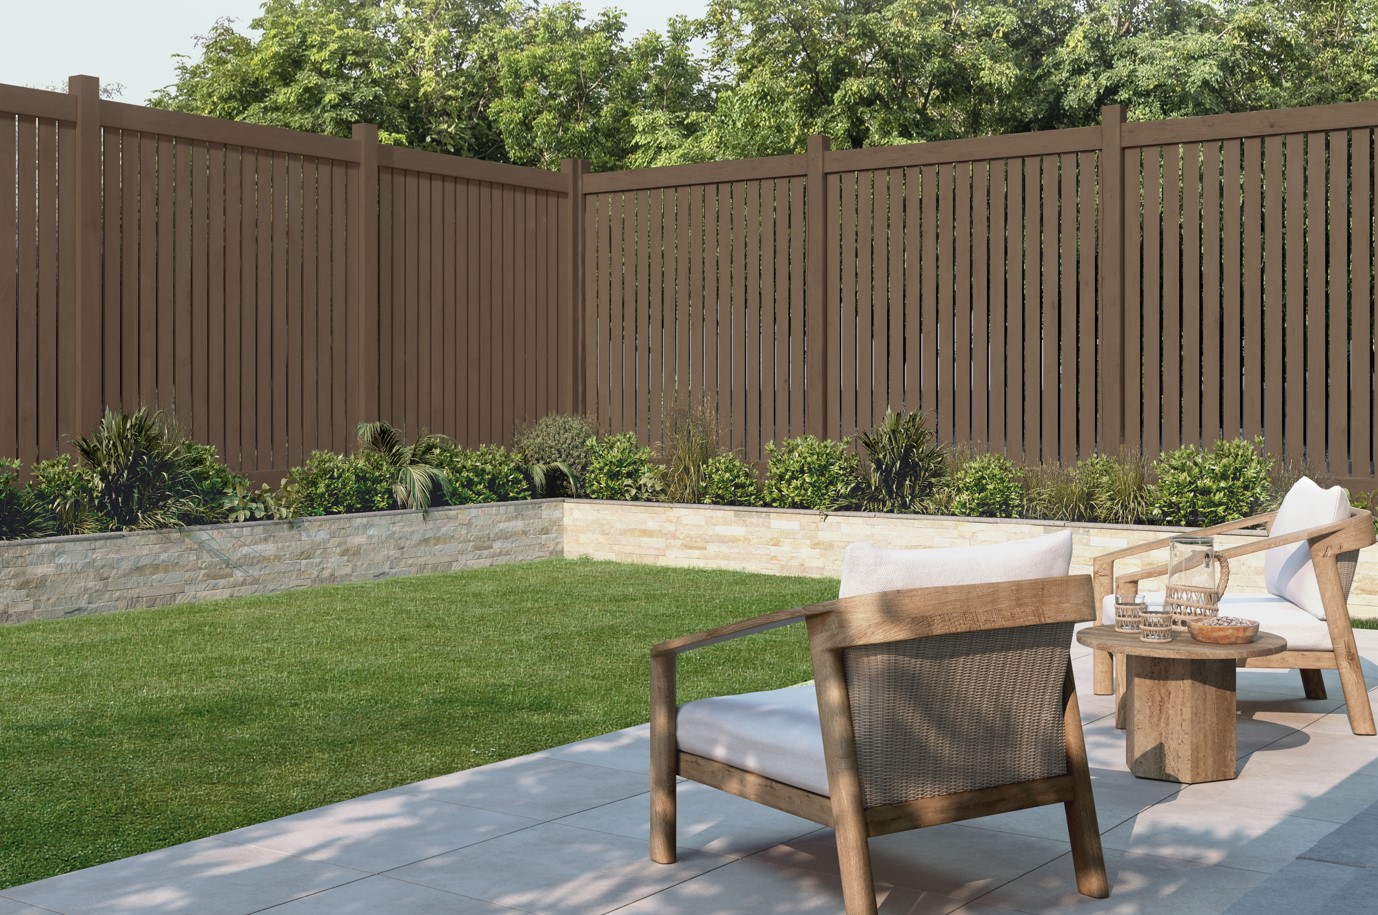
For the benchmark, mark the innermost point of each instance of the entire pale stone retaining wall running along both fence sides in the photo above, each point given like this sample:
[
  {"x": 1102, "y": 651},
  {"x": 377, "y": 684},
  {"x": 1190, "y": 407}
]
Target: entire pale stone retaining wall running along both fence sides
[{"x": 97, "y": 574}]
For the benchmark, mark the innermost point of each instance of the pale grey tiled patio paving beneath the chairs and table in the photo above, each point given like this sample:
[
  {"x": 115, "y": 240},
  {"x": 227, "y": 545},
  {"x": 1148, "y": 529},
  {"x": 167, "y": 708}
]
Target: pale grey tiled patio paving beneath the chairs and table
[{"x": 566, "y": 832}]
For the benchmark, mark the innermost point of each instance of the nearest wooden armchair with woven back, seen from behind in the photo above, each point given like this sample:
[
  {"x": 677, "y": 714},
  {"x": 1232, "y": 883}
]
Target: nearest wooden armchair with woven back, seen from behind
[{"x": 931, "y": 706}]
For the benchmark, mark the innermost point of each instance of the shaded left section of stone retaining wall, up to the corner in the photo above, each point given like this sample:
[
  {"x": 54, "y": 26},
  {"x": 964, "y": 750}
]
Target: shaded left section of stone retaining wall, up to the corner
[{"x": 97, "y": 574}]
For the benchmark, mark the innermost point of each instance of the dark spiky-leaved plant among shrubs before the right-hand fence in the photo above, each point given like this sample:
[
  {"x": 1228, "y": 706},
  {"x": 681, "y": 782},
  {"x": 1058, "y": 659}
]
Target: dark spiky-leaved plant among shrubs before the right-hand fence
[{"x": 906, "y": 465}]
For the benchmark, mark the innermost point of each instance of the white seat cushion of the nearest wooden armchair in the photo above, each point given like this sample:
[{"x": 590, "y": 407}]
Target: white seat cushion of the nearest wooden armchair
[{"x": 774, "y": 734}]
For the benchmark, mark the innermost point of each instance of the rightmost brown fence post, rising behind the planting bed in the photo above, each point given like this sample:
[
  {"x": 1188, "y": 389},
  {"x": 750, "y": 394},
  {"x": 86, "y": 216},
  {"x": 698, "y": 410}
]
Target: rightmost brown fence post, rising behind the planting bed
[{"x": 1111, "y": 384}]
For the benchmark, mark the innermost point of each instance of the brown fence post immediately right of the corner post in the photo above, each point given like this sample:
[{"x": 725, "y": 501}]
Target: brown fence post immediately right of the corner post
[{"x": 816, "y": 296}]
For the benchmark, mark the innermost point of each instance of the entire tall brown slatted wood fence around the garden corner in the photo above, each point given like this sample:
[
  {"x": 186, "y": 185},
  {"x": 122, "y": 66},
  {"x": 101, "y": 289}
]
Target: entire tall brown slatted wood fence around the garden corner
[{"x": 1047, "y": 296}]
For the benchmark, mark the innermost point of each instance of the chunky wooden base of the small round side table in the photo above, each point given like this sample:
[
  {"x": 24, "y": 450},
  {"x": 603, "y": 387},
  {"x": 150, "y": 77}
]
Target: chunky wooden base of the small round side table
[{"x": 1182, "y": 719}]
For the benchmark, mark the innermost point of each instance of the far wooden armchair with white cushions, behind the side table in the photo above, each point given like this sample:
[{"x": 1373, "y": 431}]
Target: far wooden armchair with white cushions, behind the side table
[{"x": 1313, "y": 544}]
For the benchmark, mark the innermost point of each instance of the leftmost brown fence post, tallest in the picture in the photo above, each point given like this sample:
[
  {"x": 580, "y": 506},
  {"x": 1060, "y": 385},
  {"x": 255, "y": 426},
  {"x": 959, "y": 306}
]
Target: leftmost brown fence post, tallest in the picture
[{"x": 81, "y": 402}]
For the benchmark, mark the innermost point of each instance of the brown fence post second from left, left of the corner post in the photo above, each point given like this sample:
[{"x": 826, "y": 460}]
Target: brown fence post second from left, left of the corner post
[{"x": 363, "y": 334}]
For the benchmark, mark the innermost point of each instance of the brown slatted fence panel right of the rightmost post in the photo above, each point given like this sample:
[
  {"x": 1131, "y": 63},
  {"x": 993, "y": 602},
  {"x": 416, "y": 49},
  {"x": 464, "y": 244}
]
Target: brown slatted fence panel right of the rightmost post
[{"x": 1256, "y": 297}]
